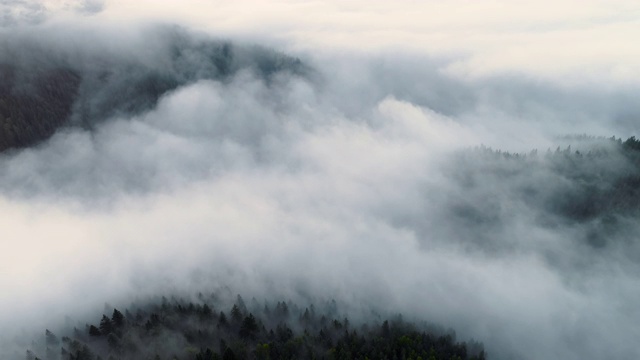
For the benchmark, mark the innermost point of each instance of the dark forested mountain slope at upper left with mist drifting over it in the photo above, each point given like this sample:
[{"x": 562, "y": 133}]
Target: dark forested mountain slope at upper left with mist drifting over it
[{"x": 43, "y": 88}]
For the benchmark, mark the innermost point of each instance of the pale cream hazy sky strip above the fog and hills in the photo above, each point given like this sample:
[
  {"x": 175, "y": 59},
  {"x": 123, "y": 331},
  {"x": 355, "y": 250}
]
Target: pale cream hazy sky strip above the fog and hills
[{"x": 580, "y": 41}]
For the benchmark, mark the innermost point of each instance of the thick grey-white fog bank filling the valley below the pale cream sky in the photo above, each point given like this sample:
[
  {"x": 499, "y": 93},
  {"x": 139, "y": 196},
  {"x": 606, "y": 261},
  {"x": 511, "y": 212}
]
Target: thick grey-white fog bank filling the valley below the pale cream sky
[{"x": 334, "y": 174}]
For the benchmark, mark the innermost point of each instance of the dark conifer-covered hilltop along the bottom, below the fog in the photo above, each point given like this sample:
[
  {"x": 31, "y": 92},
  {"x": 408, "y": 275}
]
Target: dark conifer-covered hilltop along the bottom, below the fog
[{"x": 176, "y": 329}]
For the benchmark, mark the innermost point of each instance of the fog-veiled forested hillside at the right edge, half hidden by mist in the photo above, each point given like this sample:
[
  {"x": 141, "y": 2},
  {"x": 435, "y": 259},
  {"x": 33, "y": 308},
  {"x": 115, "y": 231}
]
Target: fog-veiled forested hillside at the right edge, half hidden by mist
[{"x": 592, "y": 184}]
